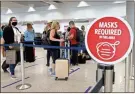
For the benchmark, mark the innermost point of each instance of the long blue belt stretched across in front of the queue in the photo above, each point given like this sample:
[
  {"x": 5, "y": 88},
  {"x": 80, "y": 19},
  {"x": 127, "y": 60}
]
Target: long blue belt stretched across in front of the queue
[{"x": 45, "y": 46}]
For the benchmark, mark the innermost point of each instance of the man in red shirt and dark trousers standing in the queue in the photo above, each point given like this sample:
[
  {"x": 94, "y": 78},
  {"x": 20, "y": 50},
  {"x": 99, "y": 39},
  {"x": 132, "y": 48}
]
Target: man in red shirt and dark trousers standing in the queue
[{"x": 74, "y": 43}]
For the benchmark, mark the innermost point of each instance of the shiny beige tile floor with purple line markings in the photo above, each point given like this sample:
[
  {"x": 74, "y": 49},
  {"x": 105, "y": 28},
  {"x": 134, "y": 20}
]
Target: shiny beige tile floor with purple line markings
[{"x": 80, "y": 80}]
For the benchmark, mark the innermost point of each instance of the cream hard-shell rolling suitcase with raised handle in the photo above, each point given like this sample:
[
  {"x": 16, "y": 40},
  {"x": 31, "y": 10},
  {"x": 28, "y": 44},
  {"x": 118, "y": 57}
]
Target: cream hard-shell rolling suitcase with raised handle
[{"x": 62, "y": 67}]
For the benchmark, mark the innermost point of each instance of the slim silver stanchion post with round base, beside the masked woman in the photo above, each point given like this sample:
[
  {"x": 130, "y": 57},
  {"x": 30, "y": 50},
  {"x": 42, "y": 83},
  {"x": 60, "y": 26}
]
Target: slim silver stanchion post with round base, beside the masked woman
[{"x": 23, "y": 85}]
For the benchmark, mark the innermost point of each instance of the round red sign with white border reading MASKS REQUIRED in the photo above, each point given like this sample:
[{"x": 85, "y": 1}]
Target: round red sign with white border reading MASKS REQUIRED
[{"x": 109, "y": 40}]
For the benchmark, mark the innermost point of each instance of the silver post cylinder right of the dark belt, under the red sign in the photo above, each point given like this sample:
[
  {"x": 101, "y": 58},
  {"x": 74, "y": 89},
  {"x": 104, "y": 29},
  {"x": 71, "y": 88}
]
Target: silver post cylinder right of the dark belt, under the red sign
[{"x": 108, "y": 78}]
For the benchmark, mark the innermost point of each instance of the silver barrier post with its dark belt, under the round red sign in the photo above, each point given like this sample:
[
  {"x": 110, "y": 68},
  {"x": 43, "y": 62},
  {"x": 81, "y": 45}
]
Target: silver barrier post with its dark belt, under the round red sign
[{"x": 105, "y": 77}]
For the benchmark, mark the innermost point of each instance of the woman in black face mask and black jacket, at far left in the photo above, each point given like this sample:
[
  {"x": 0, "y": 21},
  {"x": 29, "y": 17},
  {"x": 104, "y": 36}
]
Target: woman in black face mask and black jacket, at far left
[{"x": 11, "y": 35}]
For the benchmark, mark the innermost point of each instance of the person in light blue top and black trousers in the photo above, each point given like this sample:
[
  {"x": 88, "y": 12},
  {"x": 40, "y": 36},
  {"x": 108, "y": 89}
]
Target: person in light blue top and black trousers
[{"x": 29, "y": 38}]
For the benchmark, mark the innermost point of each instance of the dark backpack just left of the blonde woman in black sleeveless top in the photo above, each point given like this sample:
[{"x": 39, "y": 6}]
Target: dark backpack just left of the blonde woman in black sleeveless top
[{"x": 45, "y": 39}]
